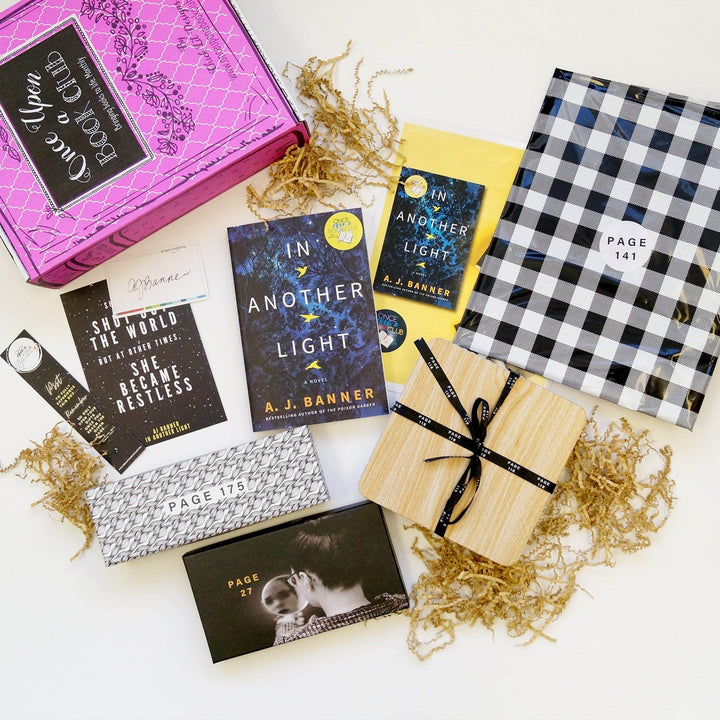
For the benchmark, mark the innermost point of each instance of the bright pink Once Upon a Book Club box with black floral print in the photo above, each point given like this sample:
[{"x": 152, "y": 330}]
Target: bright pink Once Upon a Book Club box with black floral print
[{"x": 118, "y": 116}]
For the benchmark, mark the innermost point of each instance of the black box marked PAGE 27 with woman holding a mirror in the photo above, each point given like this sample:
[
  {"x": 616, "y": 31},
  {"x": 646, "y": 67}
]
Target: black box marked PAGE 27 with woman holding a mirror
[{"x": 295, "y": 580}]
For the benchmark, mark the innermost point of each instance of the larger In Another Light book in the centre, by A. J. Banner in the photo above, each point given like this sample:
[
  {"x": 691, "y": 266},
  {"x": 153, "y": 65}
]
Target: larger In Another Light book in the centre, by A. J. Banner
[{"x": 307, "y": 320}]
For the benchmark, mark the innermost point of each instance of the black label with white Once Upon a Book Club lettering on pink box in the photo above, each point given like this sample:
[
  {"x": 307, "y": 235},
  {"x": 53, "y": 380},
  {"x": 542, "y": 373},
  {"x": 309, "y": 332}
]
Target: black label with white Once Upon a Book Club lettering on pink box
[{"x": 73, "y": 130}]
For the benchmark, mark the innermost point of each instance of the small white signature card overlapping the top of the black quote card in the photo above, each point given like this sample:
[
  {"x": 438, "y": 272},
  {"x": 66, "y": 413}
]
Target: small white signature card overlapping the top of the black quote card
[{"x": 164, "y": 279}]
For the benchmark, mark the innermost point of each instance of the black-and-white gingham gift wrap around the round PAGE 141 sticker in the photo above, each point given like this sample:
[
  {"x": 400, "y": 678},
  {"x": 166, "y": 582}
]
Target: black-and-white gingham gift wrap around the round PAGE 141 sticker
[{"x": 546, "y": 301}]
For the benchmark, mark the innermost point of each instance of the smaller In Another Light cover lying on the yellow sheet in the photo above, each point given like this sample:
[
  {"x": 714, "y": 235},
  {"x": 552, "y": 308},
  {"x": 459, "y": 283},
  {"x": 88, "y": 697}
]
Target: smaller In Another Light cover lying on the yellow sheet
[{"x": 429, "y": 234}]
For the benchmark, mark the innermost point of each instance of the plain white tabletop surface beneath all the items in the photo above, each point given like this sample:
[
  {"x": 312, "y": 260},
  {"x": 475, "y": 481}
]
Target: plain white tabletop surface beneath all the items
[{"x": 82, "y": 641}]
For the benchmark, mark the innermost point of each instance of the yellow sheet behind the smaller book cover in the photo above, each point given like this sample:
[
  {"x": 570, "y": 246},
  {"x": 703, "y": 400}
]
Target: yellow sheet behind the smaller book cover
[{"x": 402, "y": 320}]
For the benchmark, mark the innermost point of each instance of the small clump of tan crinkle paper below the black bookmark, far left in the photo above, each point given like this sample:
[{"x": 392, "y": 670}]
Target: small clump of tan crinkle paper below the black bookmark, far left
[{"x": 67, "y": 469}]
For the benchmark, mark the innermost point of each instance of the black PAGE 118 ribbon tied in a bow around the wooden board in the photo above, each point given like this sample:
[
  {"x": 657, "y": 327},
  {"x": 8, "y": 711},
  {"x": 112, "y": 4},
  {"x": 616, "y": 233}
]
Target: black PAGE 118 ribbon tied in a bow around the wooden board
[{"x": 477, "y": 424}]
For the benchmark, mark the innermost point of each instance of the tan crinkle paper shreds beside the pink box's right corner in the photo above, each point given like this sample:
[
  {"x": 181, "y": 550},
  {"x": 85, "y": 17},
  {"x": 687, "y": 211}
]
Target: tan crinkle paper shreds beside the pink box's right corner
[{"x": 352, "y": 145}]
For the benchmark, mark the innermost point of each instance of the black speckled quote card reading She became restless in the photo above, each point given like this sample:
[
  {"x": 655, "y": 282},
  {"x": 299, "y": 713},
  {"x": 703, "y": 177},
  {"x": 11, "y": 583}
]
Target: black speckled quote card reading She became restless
[{"x": 150, "y": 368}]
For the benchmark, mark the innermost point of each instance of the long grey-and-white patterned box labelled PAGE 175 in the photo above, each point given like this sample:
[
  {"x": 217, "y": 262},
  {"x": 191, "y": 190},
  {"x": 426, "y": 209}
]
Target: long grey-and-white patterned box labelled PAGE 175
[{"x": 206, "y": 496}]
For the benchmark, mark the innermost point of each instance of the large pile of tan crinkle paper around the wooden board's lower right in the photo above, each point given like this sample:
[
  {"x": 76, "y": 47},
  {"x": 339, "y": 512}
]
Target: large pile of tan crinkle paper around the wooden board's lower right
[{"x": 603, "y": 507}]
